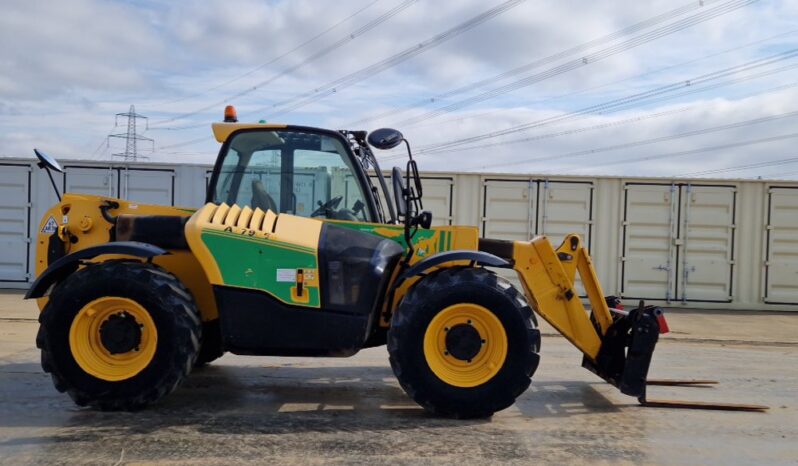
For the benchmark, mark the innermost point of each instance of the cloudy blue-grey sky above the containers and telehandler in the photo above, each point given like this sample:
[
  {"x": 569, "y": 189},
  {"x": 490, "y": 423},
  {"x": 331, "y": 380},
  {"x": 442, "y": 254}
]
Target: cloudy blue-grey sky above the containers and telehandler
[{"x": 623, "y": 87}]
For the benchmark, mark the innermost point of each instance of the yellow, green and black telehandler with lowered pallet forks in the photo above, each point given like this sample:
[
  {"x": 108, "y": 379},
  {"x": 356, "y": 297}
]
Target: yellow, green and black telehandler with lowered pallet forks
[{"x": 294, "y": 255}]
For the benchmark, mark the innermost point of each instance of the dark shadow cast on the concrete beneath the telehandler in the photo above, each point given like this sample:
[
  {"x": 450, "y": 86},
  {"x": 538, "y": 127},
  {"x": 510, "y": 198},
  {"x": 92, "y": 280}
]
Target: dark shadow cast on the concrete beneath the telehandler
[{"x": 227, "y": 399}]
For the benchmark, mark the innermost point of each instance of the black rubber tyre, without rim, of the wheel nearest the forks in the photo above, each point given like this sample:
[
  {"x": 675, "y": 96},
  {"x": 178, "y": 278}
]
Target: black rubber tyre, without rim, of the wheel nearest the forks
[{"x": 414, "y": 314}]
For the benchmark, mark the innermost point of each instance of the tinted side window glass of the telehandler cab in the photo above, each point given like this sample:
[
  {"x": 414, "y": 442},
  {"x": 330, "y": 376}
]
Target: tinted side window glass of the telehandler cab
[{"x": 291, "y": 171}]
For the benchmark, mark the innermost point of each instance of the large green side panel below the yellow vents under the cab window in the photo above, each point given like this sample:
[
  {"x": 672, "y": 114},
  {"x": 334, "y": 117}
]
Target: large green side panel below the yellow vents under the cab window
[{"x": 249, "y": 262}]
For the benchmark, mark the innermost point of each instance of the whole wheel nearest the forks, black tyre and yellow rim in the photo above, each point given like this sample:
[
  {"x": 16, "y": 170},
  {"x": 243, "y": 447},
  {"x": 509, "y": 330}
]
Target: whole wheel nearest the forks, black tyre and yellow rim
[{"x": 463, "y": 343}]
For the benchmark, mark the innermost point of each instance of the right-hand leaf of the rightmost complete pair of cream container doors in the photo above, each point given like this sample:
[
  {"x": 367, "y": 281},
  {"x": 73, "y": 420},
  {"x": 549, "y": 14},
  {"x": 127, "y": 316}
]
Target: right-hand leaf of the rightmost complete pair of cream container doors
[{"x": 706, "y": 251}]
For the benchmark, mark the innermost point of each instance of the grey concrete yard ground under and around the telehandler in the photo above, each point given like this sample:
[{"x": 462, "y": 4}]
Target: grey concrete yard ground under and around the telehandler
[{"x": 352, "y": 411}]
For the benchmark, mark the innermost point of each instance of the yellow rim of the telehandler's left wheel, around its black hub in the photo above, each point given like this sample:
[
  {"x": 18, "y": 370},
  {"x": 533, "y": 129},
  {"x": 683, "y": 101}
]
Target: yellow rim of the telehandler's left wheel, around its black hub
[{"x": 86, "y": 342}]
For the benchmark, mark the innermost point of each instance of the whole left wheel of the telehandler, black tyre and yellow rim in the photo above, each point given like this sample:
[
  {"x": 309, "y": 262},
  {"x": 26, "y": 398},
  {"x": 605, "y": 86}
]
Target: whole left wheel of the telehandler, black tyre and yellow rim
[{"x": 119, "y": 335}]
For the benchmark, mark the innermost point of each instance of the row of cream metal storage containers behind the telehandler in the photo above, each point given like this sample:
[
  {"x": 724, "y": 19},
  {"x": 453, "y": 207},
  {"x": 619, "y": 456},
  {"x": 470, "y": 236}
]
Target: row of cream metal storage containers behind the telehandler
[{"x": 722, "y": 244}]
